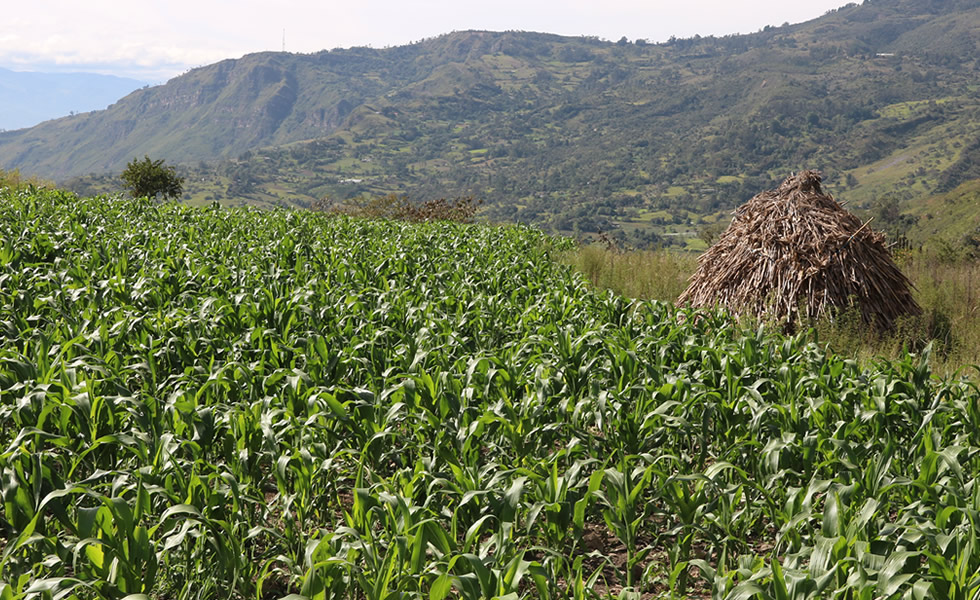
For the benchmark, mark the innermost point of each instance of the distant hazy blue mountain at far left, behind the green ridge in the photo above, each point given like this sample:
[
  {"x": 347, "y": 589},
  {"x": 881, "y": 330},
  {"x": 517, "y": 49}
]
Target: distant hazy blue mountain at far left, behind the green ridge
[{"x": 28, "y": 98}]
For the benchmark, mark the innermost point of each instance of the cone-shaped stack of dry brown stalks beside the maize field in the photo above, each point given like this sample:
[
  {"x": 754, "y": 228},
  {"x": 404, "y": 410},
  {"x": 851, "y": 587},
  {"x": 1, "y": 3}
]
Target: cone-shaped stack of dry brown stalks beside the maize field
[{"x": 796, "y": 248}]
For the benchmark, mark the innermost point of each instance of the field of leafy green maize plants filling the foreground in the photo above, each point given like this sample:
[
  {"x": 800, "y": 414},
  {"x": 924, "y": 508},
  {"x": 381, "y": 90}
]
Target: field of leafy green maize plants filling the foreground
[{"x": 202, "y": 403}]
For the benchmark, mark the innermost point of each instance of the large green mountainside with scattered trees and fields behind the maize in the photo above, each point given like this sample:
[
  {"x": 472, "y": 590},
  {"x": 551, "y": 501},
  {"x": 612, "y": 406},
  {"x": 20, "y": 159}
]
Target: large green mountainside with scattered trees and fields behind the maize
[{"x": 576, "y": 134}]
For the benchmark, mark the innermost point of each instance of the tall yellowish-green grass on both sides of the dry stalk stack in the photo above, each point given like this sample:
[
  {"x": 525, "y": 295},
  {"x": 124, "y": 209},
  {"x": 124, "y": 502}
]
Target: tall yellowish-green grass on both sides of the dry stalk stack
[{"x": 947, "y": 287}]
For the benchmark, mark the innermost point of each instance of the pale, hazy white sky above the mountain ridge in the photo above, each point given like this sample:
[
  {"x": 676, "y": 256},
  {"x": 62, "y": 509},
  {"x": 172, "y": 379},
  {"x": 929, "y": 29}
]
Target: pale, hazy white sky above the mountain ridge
[{"x": 154, "y": 40}]
